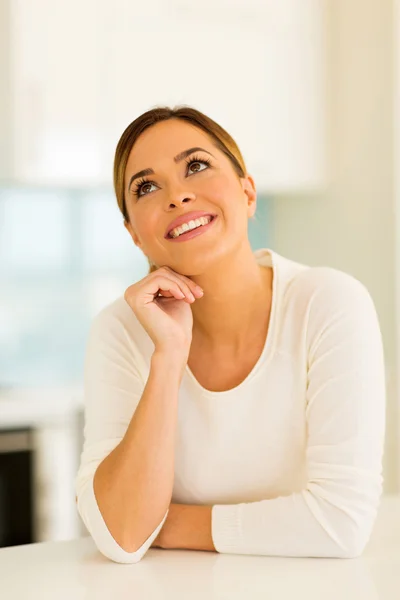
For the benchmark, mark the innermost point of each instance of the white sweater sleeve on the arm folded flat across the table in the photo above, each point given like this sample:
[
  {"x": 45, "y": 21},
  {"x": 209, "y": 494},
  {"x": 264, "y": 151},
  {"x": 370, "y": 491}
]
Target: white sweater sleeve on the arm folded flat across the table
[{"x": 345, "y": 414}]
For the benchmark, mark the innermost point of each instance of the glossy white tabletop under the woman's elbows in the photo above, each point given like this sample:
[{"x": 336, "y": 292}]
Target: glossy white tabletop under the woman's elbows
[{"x": 75, "y": 570}]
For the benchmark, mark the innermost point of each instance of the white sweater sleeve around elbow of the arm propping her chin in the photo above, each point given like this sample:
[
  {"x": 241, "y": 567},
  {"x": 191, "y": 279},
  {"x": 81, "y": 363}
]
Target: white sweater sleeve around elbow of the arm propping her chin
[{"x": 112, "y": 390}]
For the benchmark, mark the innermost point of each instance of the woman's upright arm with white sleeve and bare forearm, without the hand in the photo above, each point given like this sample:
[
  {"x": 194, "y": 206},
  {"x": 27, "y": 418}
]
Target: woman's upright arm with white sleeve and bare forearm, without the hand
[{"x": 124, "y": 484}]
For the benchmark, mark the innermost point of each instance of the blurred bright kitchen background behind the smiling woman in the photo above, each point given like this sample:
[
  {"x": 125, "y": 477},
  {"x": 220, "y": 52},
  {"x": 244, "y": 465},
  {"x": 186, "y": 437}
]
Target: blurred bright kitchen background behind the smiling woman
[{"x": 309, "y": 89}]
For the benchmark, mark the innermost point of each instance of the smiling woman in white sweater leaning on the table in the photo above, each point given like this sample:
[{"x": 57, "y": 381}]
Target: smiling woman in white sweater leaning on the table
[{"x": 234, "y": 400}]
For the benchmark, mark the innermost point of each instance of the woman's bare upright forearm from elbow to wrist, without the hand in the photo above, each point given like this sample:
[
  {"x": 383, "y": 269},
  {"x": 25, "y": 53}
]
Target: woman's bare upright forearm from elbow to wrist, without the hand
[{"x": 133, "y": 484}]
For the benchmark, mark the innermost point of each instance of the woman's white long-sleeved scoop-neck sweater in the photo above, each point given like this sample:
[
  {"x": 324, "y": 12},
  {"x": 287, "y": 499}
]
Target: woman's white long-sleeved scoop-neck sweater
[{"x": 290, "y": 459}]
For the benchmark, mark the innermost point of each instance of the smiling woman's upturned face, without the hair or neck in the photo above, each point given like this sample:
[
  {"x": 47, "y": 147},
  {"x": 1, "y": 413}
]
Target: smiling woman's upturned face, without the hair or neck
[{"x": 176, "y": 188}]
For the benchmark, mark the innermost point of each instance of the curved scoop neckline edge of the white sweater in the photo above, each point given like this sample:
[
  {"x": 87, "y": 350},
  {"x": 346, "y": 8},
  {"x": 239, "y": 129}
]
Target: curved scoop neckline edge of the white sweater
[{"x": 267, "y": 350}]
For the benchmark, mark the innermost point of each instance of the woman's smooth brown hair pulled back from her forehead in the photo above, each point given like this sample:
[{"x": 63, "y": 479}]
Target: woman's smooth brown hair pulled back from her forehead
[{"x": 221, "y": 139}]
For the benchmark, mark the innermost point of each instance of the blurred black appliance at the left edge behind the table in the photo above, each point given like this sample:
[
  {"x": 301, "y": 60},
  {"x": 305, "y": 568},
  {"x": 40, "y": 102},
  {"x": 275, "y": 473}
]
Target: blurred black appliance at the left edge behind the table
[{"x": 16, "y": 514}]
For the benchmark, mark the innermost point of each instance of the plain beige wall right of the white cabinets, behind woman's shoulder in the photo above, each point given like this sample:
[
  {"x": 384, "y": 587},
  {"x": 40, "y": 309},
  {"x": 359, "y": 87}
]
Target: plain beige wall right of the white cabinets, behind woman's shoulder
[{"x": 351, "y": 225}]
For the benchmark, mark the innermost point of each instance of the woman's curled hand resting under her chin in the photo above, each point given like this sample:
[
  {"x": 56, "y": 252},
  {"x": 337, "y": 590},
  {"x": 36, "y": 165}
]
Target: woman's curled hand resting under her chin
[{"x": 161, "y": 302}]
